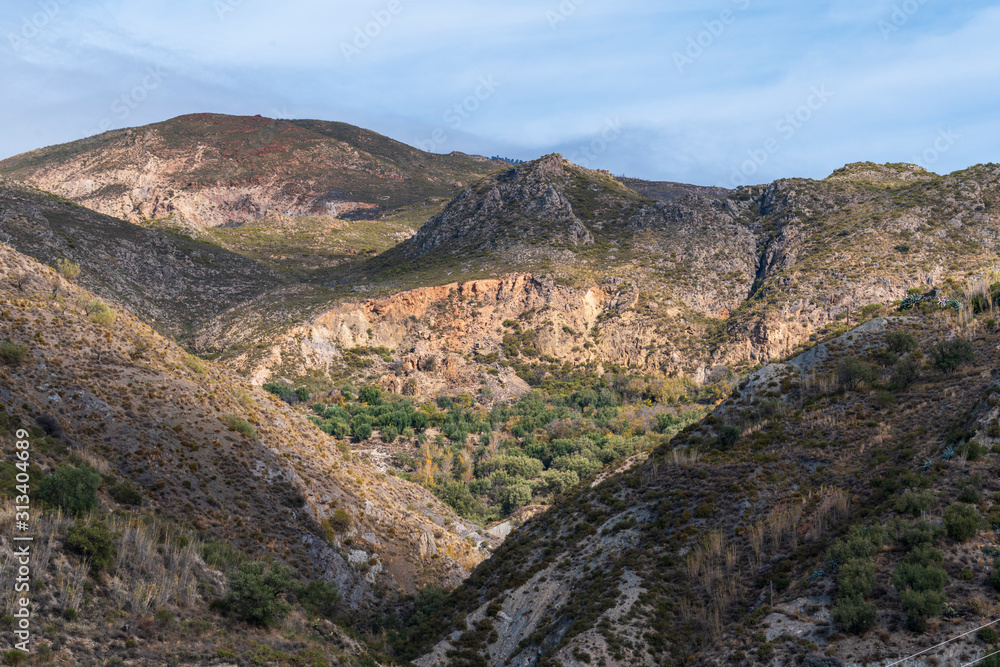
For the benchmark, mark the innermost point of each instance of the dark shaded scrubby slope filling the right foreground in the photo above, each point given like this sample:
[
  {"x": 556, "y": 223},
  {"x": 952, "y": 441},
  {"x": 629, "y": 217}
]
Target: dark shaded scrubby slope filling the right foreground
[{"x": 786, "y": 526}]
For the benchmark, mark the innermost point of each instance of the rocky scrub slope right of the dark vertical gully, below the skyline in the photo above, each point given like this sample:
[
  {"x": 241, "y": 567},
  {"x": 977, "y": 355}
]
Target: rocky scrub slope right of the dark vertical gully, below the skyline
[{"x": 863, "y": 236}]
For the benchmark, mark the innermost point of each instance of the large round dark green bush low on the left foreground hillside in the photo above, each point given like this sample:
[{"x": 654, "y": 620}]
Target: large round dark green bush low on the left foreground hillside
[{"x": 256, "y": 590}]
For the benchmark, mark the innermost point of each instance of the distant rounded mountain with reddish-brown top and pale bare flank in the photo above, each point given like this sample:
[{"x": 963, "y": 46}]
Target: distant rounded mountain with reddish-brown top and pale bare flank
[{"x": 213, "y": 169}]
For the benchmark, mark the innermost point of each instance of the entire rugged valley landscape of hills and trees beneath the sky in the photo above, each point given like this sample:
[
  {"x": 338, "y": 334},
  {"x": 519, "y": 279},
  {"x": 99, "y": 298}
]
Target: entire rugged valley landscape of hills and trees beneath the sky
[{"x": 377, "y": 406}]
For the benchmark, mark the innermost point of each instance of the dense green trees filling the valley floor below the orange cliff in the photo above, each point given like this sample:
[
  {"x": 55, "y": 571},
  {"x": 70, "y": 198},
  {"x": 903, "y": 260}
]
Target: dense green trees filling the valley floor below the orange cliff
[{"x": 487, "y": 462}]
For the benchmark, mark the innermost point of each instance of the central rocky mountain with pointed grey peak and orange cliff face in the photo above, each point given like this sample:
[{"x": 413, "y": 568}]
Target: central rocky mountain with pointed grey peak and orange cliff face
[{"x": 547, "y": 274}]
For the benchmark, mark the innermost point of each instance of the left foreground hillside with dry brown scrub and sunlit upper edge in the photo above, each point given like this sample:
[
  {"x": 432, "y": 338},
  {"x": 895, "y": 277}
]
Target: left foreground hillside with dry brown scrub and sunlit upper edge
[{"x": 185, "y": 446}]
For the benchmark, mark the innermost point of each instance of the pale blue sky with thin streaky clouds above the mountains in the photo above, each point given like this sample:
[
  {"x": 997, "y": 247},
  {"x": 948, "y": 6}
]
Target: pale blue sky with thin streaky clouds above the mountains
[{"x": 725, "y": 92}]
